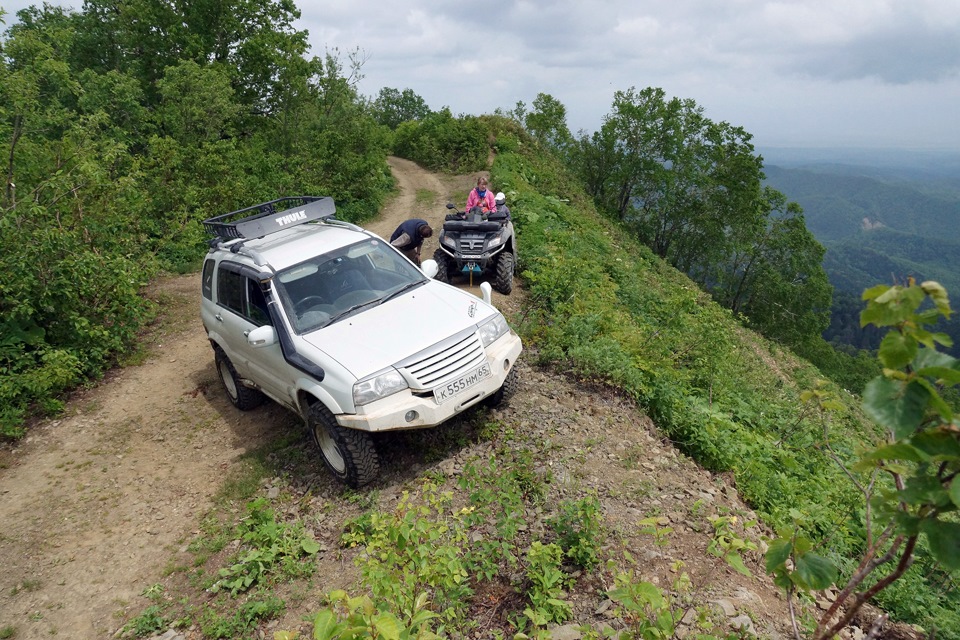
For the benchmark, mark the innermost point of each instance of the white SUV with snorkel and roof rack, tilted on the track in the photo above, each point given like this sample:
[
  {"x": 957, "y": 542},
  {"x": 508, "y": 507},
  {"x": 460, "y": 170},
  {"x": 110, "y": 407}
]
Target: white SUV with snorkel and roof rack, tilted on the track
[{"x": 332, "y": 322}]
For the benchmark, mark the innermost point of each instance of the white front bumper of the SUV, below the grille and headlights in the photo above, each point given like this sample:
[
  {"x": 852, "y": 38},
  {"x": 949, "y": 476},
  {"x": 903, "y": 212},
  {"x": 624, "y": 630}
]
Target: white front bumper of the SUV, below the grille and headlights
[{"x": 394, "y": 412}]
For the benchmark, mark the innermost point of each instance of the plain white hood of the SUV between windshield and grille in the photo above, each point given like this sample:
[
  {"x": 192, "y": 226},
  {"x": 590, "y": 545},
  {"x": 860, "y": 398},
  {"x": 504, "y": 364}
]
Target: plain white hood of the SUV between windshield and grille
[{"x": 378, "y": 337}]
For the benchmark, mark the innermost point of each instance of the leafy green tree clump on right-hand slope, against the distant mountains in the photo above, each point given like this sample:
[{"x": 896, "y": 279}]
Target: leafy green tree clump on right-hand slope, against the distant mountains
[{"x": 691, "y": 189}]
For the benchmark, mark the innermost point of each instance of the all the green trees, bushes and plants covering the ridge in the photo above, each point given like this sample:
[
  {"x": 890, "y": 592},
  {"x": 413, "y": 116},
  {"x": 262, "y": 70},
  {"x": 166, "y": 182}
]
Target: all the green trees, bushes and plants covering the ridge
[{"x": 119, "y": 142}]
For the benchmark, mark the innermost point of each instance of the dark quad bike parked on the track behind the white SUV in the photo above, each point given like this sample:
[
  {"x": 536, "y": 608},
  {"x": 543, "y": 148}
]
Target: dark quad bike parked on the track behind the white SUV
[{"x": 477, "y": 245}]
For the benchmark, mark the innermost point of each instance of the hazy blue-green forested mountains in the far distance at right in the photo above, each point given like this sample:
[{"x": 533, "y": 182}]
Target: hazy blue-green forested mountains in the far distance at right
[{"x": 880, "y": 224}]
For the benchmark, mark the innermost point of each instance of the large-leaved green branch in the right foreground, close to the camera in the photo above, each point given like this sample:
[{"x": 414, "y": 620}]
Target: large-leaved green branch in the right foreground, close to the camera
[{"x": 920, "y": 458}]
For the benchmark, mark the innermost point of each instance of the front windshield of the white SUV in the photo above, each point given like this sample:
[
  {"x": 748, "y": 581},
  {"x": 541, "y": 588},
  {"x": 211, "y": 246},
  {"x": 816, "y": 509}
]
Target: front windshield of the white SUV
[{"x": 332, "y": 286}]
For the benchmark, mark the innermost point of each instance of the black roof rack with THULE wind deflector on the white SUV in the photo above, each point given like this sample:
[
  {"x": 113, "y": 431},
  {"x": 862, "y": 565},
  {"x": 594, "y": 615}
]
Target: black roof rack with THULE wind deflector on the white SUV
[{"x": 269, "y": 217}]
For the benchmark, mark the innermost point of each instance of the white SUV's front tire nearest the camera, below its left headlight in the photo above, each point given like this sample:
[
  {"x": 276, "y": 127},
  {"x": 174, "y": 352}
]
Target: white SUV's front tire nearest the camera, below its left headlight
[{"x": 349, "y": 454}]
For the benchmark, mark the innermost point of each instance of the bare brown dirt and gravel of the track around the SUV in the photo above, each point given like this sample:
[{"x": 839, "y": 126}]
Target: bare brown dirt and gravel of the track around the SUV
[{"x": 96, "y": 504}]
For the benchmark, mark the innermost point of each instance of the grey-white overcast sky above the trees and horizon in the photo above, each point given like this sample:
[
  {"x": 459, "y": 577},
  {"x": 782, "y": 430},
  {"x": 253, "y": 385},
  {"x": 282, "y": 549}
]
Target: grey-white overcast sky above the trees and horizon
[{"x": 840, "y": 73}]
